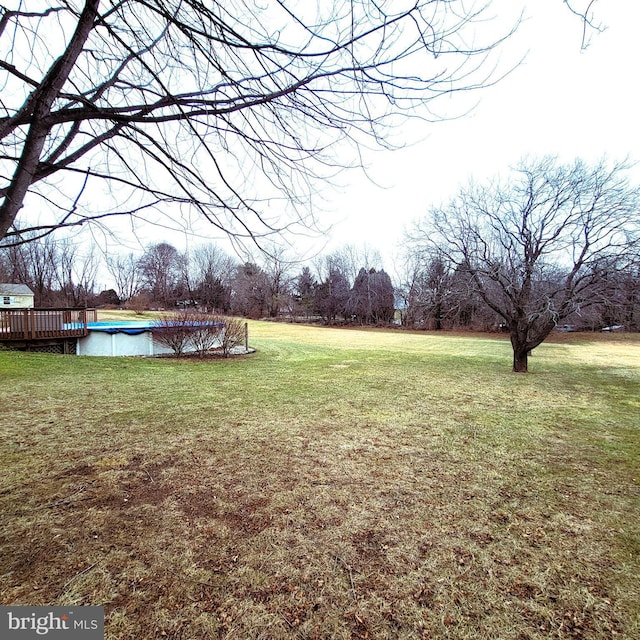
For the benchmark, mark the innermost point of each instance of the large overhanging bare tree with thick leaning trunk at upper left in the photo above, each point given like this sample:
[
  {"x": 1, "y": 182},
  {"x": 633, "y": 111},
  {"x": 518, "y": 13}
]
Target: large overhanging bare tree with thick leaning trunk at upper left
[{"x": 178, "y": 107}]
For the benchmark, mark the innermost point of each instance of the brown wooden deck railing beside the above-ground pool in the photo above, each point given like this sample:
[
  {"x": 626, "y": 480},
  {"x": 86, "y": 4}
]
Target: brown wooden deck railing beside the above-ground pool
[{"x": 42, "y": 324}]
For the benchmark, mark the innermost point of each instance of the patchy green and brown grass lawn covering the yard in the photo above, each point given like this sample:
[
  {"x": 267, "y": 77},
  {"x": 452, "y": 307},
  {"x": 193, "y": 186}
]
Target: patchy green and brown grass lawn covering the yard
[{"x": 335, "y": 484}]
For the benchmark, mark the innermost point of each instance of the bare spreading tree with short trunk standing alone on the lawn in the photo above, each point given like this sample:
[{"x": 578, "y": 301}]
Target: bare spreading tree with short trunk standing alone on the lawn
[{"x": 539, "y": 248}]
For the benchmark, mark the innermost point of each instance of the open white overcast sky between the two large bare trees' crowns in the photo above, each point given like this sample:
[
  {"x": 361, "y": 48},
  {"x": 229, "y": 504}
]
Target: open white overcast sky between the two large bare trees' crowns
[{"x": 560, "y": 101}]
